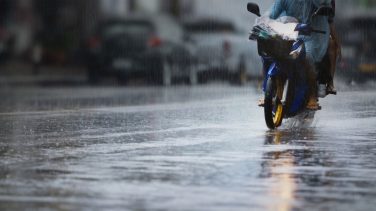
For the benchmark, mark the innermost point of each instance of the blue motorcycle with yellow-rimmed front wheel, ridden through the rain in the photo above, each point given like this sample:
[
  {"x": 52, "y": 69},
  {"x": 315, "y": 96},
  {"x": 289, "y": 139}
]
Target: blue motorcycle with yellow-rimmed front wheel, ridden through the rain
[{"x": 283, "y": 55}]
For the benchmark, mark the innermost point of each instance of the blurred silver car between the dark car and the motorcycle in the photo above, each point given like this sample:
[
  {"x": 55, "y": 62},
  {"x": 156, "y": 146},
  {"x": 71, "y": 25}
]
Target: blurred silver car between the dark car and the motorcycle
[{"x": 223, "y": 50}]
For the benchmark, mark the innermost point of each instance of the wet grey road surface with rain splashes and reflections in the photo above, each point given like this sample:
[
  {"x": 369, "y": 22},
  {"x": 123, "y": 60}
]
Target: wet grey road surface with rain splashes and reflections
[{"x": 202, "y": 148}]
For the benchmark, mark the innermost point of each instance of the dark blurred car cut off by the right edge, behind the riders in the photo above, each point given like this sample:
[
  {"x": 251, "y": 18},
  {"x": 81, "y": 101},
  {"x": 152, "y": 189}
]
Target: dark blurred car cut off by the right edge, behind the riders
[{"x": 358, "y": 47}]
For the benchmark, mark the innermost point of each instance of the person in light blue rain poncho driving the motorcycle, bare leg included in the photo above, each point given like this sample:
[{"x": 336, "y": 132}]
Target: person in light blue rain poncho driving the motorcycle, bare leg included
[{"x": 316, "y": 45}]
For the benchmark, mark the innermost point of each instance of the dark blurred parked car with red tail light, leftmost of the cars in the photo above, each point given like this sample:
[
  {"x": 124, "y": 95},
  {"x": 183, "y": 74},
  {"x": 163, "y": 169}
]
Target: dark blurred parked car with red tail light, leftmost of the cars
[{"x": 151, "y": 47}]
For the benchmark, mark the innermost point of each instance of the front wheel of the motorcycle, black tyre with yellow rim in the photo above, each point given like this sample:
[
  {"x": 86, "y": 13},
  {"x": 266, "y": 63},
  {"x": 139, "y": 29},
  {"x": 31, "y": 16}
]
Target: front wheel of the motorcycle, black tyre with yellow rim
[{"x": 274, "y": 110}]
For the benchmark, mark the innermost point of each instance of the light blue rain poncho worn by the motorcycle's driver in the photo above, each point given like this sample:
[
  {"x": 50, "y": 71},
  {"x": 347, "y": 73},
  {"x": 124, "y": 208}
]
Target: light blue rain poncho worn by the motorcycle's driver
[{"x": 302, "y": 10}]
